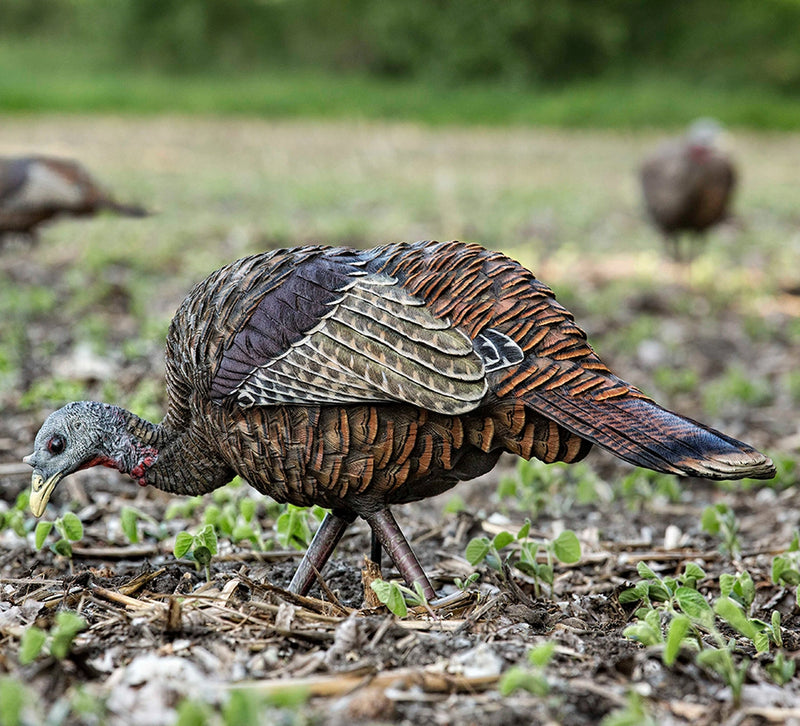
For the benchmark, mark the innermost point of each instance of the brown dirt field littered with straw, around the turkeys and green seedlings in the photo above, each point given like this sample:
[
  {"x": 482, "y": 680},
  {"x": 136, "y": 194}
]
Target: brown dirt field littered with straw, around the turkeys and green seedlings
[{"x": 85, "y": 314}]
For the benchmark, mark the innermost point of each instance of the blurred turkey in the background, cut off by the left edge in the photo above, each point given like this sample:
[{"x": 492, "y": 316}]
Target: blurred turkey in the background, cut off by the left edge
[{"x": 34, "y": 189}]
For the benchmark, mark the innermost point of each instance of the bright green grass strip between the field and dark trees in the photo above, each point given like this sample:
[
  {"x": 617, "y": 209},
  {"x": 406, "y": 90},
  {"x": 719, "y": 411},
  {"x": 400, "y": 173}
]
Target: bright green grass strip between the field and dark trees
[{"x": 38, "y": 77}]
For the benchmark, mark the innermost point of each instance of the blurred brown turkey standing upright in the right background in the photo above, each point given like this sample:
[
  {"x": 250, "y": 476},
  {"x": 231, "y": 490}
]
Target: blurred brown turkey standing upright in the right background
[{"x": 688, "y": 183}]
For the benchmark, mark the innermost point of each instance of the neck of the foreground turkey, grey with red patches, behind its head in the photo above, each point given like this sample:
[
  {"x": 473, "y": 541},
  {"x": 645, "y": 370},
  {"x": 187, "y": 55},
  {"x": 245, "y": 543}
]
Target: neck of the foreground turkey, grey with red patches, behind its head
[{"x": 171, "y": 458}]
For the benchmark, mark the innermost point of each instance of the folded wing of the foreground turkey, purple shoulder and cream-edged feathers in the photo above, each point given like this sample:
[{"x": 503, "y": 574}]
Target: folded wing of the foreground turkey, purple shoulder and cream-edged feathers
[{"x": 369, "y": 341}]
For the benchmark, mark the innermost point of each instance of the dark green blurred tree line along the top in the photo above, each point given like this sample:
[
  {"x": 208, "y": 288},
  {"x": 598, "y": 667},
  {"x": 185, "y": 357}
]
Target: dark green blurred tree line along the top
[{"x": 723, "y": 42}]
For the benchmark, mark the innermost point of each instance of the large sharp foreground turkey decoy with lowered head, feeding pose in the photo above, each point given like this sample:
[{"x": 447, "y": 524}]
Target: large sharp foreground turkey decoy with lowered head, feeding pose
[{"x": 360, "y": 379}]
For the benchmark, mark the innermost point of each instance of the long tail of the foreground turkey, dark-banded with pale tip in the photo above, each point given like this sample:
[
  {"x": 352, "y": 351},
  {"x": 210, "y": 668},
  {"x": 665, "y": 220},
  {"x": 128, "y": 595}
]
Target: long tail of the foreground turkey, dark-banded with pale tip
[{"x": 643, "y": 433}]
